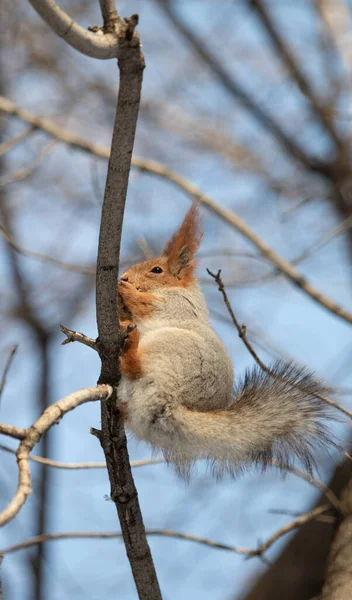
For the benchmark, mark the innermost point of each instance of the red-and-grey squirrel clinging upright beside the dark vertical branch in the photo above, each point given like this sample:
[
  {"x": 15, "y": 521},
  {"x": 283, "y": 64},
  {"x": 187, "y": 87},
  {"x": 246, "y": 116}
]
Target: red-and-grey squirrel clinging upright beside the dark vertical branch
[{"x": 177, "y": 383}]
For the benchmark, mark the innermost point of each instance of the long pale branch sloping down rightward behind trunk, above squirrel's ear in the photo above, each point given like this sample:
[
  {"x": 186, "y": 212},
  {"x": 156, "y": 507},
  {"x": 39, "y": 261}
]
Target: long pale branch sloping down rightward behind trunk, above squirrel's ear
[{"x": 228, "y": 216}]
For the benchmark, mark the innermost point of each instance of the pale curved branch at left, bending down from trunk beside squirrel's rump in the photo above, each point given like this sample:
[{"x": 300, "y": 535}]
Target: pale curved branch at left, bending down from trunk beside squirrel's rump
[{"x": 34, "y": 433}]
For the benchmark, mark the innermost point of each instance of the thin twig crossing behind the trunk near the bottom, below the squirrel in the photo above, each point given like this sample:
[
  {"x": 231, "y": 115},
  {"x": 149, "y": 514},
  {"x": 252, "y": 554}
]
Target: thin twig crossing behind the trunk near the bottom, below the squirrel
[{"x": 295, "y": 524}]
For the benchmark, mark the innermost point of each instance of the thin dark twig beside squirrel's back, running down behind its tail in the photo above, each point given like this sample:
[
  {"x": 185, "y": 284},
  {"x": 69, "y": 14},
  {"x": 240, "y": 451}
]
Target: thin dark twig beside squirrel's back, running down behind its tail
[{"x": 242, "y": 334}]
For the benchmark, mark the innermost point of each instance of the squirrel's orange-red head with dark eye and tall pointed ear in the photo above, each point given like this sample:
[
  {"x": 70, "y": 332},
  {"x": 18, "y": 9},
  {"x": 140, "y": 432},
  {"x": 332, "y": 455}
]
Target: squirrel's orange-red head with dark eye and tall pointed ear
[{"x": 176, "y": 266}]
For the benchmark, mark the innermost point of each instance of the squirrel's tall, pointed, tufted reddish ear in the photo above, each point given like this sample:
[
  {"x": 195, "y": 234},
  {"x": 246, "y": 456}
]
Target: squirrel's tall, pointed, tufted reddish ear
[{"x": 183, "y": 245}]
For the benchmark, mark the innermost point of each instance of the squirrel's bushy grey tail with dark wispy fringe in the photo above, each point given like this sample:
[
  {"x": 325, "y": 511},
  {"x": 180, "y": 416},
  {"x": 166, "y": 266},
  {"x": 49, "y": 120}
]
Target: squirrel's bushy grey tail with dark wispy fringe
[{"x": 273, "y": 417}]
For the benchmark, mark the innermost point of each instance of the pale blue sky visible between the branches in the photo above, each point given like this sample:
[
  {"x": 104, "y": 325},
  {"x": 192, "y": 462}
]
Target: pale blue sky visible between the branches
[{"x": 231, "y": 511}]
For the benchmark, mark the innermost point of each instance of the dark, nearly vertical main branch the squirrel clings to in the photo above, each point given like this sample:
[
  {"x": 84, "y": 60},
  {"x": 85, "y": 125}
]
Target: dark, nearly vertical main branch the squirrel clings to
[{"x": 113, "y": 439}]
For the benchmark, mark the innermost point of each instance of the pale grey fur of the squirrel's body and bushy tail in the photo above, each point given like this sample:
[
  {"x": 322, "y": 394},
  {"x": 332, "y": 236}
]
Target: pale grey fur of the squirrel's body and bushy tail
[{"x": 184, "y": 403}]
